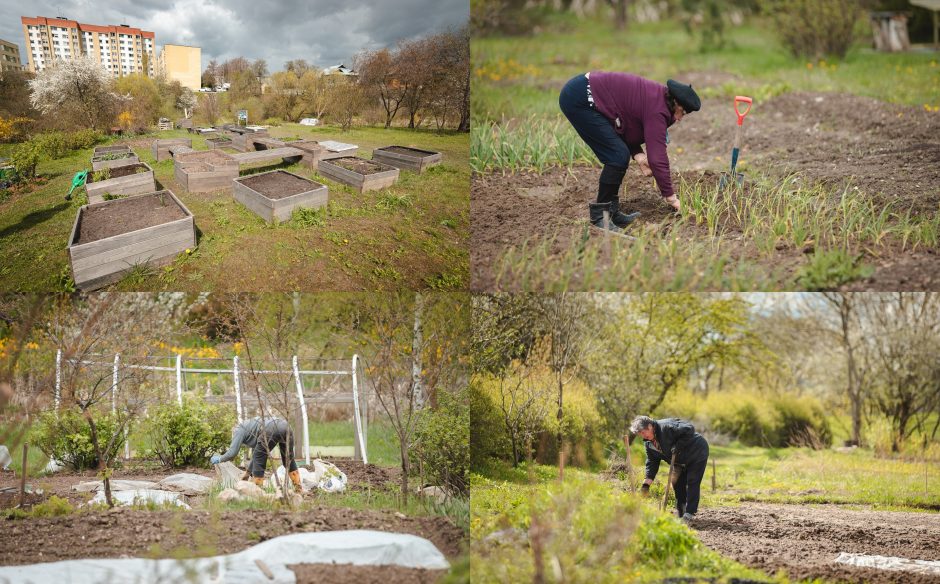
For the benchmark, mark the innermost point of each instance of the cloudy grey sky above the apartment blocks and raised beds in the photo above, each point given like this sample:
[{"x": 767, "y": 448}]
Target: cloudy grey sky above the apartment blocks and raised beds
[{"x": 324, "y": 32}]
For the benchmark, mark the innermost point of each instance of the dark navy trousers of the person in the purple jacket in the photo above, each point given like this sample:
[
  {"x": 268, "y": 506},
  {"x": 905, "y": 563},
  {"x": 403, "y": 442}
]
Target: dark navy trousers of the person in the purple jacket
[{"x": 596, "y": 130}]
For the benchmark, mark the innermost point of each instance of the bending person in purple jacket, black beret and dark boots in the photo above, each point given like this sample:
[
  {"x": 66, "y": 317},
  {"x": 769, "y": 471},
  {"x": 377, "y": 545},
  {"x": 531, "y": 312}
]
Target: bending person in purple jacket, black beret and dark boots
[{"x": 615, "y": 114}]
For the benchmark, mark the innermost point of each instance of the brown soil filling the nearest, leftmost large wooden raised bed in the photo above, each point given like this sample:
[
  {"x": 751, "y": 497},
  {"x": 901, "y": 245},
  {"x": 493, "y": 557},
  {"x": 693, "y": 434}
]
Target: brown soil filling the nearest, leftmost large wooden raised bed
[{"x": 126, "y": 215}]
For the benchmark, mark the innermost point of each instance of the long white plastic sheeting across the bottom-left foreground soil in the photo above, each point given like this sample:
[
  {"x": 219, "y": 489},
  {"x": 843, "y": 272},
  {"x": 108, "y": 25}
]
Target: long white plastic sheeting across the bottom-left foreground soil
[{"x": 359, "y": 547}]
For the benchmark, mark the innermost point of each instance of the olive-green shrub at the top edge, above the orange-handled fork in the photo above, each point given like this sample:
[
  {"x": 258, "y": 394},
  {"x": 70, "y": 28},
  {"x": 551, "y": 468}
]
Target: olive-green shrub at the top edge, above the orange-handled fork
[{"x": 814, "y": 29}]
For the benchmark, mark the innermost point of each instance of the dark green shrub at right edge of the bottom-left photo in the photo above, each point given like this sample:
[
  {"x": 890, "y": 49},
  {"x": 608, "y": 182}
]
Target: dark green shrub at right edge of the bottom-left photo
[{"x": 443, "y": 442}]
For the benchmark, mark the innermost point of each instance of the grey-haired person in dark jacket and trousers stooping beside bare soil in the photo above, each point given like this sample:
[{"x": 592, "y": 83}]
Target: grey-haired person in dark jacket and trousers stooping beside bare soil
[{"x": 662, "y": 439}]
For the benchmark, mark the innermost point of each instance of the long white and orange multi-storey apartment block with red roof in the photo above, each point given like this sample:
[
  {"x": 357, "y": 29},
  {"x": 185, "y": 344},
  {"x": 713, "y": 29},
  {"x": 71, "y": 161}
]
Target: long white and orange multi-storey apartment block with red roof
[{"x": 121, "y": 49}]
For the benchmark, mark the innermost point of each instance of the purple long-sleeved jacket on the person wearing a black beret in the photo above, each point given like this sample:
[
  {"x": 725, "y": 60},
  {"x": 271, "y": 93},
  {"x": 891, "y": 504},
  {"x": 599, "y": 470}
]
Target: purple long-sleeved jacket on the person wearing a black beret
[{"x": 640, "y": 104}]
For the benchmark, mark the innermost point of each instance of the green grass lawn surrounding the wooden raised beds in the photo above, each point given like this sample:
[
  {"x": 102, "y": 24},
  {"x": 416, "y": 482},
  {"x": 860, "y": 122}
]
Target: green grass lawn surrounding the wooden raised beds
[{"x": 411, "y": 235}]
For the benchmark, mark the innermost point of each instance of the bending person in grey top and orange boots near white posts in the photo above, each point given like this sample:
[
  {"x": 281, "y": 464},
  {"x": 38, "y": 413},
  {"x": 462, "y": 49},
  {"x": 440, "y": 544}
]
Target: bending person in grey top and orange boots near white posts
[{"x": 261, "y": 435}]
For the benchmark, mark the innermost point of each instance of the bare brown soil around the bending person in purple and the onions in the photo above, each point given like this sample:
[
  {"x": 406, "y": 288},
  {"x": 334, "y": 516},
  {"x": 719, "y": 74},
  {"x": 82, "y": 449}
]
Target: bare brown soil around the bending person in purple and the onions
[{"x": 830, "y": 138}]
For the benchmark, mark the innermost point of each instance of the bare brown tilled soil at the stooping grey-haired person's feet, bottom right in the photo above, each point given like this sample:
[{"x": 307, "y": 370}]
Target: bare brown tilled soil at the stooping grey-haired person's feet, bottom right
[{"x": 805, "y": 540}]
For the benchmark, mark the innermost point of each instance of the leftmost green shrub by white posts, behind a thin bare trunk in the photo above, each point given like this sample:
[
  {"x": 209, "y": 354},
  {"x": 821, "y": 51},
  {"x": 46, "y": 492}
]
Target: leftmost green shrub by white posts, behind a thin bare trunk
[{"x": 67, "y": 438}]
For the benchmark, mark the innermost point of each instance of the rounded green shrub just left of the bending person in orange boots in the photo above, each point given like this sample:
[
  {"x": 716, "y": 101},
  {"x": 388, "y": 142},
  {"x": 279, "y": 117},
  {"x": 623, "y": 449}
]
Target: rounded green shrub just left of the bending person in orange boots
[{"x": 189, "y": 434}]
